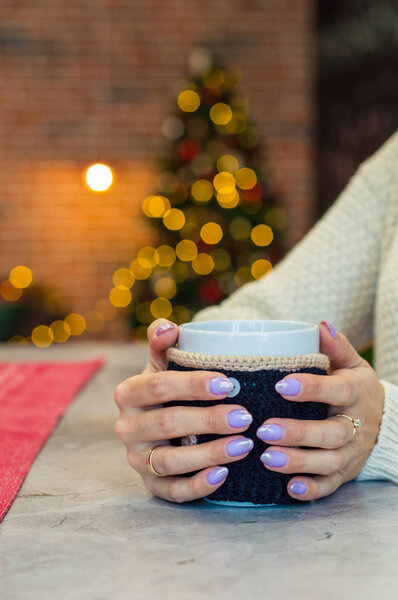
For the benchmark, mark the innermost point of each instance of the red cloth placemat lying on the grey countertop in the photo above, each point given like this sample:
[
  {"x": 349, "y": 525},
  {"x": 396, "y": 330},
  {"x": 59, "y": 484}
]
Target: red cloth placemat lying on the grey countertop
[{"x": 33, "y": 397}]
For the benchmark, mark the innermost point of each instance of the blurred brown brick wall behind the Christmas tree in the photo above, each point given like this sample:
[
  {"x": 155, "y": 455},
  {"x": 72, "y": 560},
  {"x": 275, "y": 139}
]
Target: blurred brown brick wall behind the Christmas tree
[{"x": 92, "y": 80}]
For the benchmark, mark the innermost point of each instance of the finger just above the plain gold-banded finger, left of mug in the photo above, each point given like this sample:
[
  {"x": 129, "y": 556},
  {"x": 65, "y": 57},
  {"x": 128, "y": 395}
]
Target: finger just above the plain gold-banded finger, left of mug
[{"x": 177, "y": 421}]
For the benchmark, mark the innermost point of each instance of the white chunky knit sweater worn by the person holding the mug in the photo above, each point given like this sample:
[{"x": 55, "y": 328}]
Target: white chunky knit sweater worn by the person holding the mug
[{"x": 345, "y": 270}]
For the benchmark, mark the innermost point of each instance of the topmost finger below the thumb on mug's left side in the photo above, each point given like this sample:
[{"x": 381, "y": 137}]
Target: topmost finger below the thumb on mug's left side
[{"x": 148, "y": 389}]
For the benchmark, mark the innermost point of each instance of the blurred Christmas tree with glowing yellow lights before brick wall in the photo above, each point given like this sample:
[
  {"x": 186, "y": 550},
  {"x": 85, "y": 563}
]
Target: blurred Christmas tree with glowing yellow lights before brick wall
[{"x": 217, "y": 222}]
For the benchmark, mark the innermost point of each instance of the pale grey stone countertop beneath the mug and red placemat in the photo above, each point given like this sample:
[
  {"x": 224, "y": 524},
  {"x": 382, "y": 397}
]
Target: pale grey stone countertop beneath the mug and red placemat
[{"x": 84, "y": 527}]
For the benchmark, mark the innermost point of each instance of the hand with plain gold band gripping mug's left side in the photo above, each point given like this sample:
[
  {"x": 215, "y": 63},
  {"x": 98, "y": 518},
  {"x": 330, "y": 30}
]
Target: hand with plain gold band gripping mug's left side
[{"x": 145, "y": 422}]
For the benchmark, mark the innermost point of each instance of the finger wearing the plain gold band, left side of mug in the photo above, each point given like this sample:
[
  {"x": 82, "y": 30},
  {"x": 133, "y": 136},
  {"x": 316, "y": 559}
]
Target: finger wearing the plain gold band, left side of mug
[{"x": 172, "y": 460}]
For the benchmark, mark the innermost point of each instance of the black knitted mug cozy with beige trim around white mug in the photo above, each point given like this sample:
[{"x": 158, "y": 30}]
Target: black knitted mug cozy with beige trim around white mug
[{"x": 254, "y": 378}]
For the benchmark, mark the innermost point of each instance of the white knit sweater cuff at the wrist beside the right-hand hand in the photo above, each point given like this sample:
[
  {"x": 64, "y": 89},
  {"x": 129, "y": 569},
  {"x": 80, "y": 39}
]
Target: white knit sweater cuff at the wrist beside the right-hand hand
[{"x": 382, "y": 462}]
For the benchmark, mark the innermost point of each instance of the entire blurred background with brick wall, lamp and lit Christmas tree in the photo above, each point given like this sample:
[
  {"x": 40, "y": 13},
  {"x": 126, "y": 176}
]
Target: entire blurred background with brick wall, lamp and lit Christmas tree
[{"x": 156, "y": 155}]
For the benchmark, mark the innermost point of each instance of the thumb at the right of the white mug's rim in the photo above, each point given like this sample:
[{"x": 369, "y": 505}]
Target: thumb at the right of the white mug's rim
[{"x": 341, "y": 352}]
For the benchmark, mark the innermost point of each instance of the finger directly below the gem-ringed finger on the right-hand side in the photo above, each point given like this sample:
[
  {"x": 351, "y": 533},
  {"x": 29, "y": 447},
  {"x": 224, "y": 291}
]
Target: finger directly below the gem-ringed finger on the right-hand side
[{"x": 296, "y": 460}]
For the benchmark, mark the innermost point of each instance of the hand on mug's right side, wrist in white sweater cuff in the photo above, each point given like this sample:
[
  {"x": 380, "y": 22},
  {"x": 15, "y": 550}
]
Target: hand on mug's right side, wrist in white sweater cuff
[{"x": 351, "y": 388}]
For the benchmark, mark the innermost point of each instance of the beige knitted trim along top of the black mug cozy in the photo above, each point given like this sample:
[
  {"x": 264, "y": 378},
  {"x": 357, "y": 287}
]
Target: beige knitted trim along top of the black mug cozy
[{"x": 247, "y": 363}]
